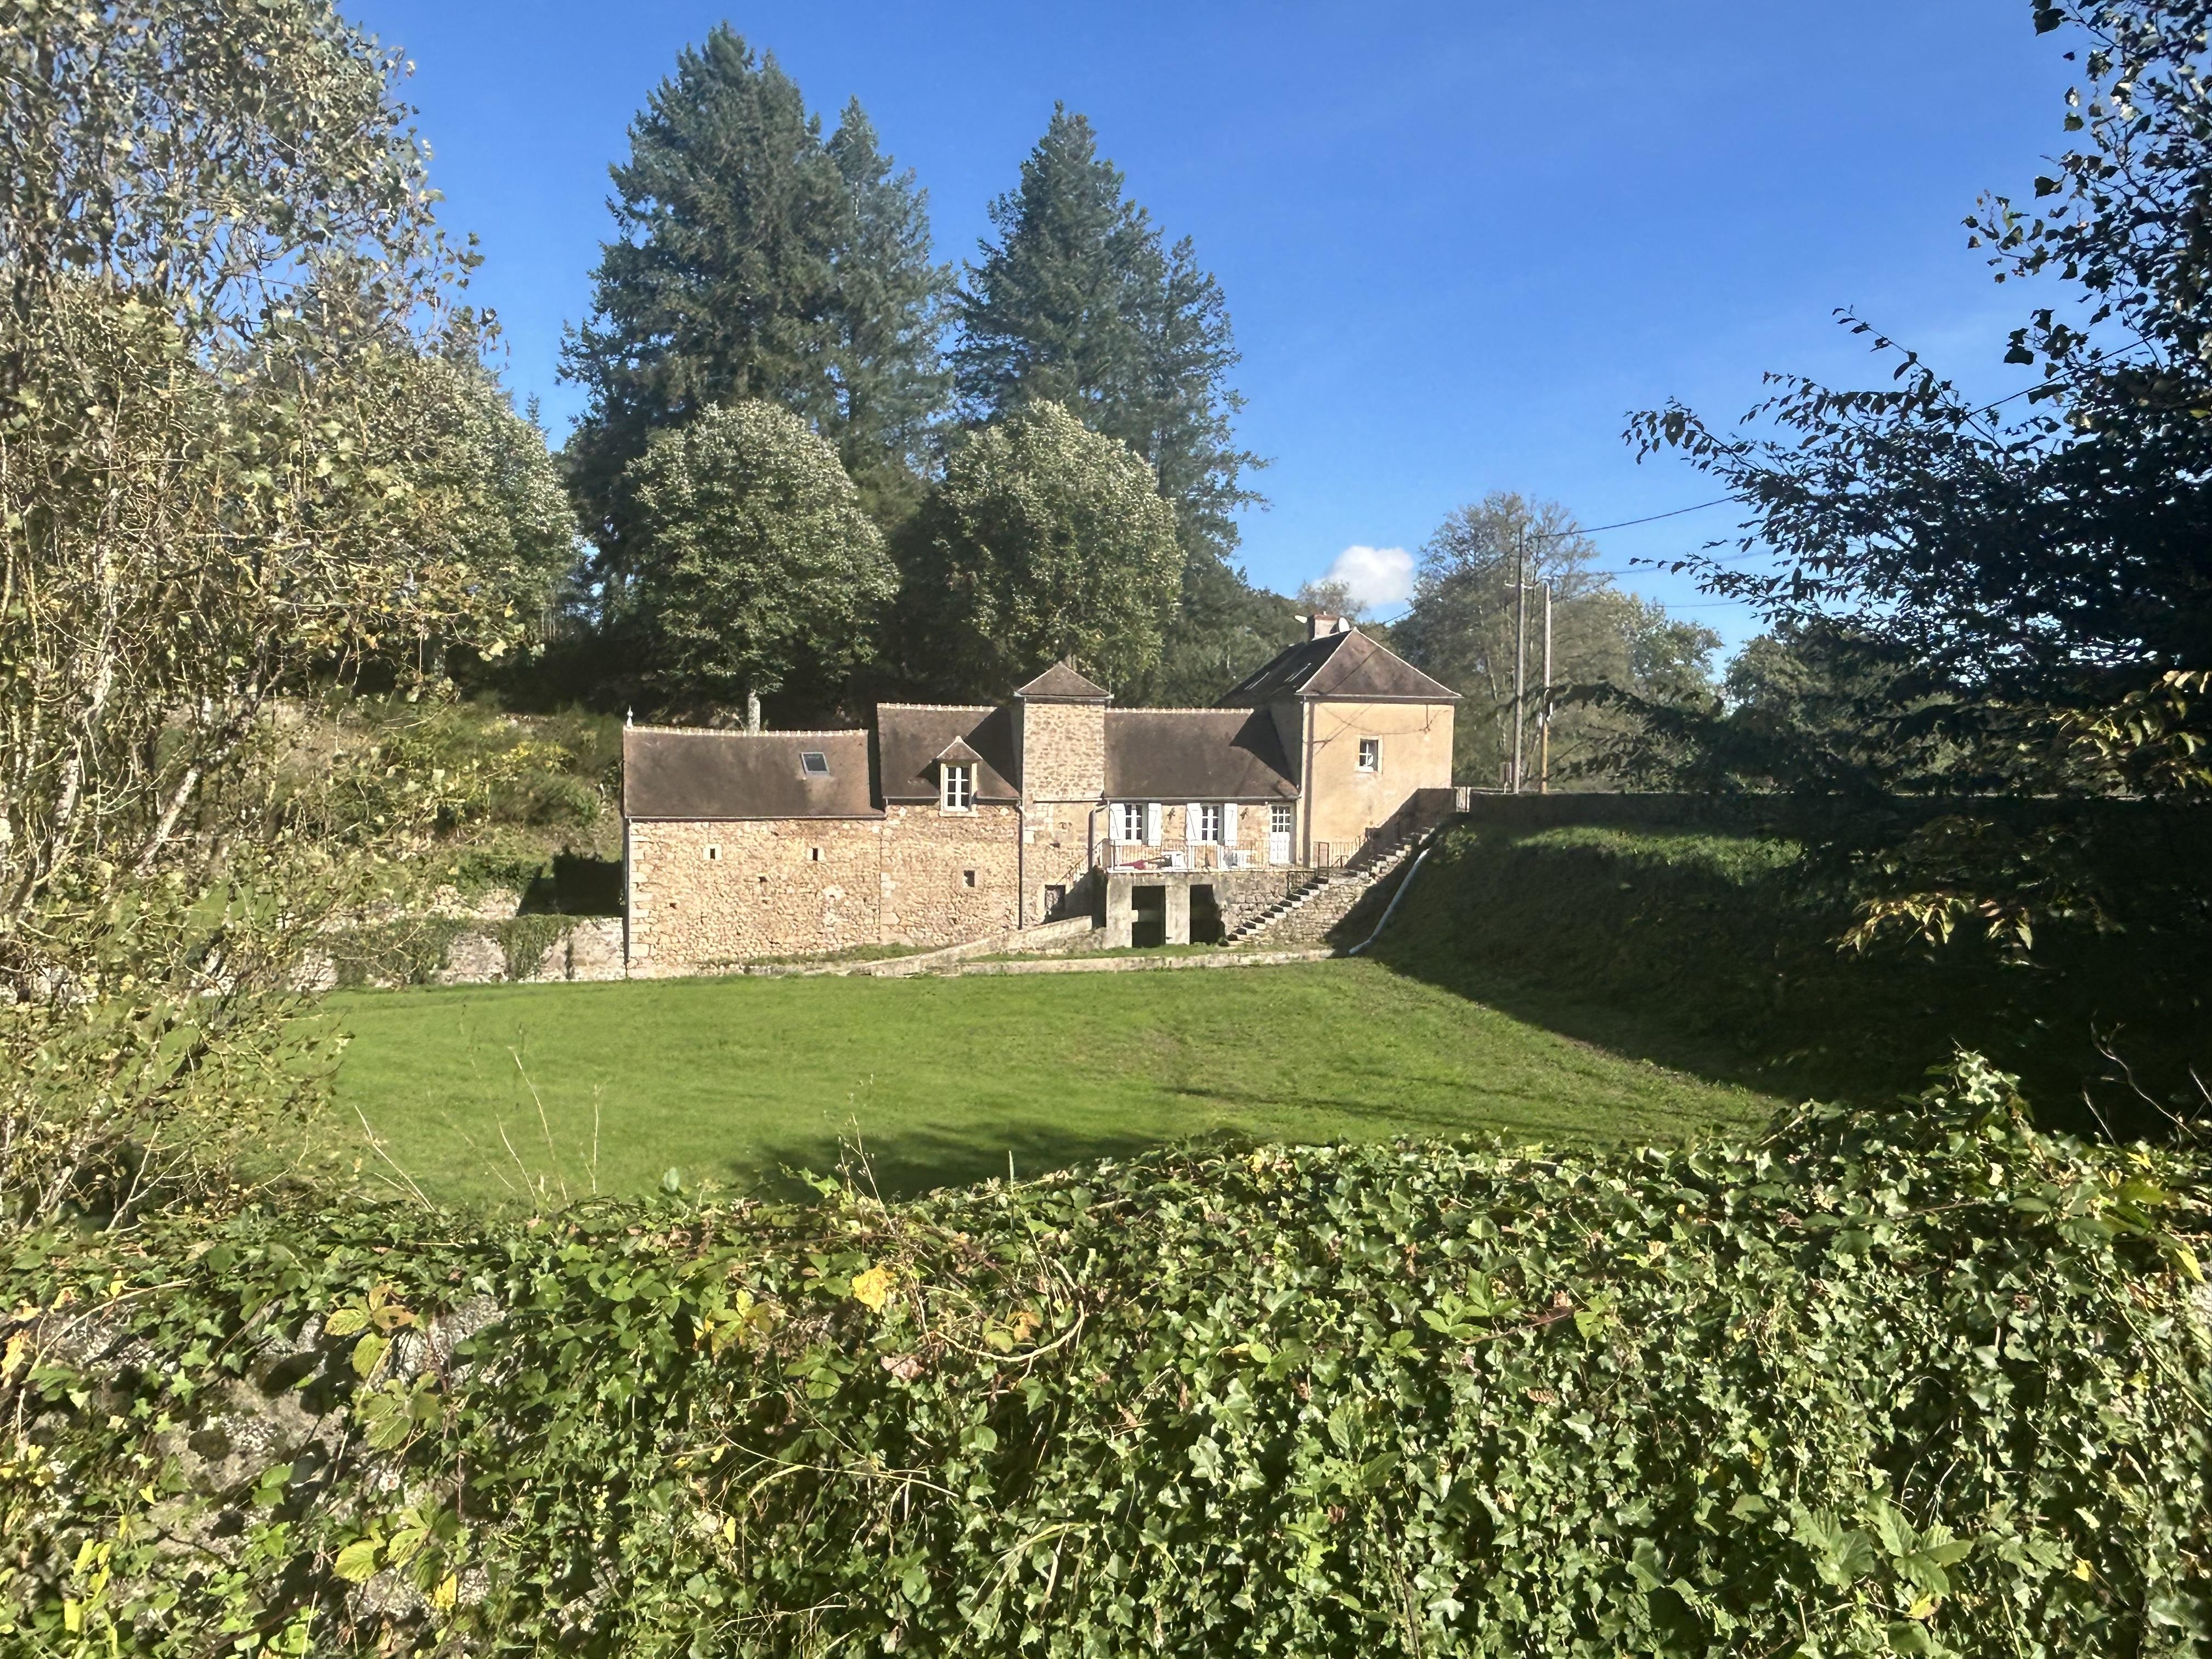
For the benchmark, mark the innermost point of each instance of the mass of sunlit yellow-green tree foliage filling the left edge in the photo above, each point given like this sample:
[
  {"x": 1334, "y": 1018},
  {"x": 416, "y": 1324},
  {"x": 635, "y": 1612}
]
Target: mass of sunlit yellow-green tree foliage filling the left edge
[{"x": 247, "y": 444}]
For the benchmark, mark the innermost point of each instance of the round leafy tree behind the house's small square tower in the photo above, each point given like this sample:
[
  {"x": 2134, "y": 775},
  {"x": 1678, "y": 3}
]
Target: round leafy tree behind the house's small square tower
[{"x": 1045, "y": 541}]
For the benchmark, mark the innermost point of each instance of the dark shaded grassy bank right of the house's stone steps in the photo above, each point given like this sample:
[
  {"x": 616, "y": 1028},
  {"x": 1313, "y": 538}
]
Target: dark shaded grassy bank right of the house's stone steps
[{"x": 1718, "y": 954}]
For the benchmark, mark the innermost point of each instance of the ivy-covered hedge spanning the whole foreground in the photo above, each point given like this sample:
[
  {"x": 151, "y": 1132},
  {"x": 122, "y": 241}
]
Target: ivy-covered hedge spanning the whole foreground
[{"x": 1914, "y": 1384}]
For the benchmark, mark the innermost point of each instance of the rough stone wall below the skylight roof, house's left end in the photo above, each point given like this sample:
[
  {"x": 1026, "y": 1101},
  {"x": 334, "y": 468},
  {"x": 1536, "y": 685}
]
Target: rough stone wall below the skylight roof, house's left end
[{"x": 716, "y": 893}]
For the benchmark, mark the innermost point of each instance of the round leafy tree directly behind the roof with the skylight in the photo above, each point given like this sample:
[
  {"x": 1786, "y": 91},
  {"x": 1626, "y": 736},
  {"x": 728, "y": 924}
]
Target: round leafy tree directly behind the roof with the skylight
[{"x": 755, "y": 561}]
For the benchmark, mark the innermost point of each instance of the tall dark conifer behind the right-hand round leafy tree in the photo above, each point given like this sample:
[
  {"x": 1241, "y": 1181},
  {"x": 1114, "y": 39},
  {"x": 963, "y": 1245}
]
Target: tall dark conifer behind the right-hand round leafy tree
[{"x": 1081, "y": 304}]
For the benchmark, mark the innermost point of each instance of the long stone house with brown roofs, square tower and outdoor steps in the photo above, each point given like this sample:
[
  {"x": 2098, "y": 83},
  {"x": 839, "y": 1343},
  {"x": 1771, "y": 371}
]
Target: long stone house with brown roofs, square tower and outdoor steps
[{"x": 950, "y": 824}]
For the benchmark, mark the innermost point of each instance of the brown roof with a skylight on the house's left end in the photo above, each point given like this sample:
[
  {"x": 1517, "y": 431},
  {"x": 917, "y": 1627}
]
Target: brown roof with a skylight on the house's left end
[{"x": 742, "y": 775}]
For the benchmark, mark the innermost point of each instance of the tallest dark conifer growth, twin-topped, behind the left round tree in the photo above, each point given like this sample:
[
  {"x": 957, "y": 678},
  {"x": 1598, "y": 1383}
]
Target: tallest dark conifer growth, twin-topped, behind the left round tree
[{"x": 755, "y": 260}]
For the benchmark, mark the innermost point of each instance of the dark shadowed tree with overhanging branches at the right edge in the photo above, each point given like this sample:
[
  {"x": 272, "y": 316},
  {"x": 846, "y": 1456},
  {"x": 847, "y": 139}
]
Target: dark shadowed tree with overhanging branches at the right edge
[{"x": 2045, "y": 552}]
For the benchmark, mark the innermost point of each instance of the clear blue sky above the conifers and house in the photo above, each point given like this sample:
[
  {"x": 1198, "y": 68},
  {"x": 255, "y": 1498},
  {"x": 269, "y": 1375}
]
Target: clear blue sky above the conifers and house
[{"x": 1459, "y": 240}]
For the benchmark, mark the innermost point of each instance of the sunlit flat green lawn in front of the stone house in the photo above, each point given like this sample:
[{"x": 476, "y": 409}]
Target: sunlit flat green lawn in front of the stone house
[{"x": 943, "y": 1078}]
